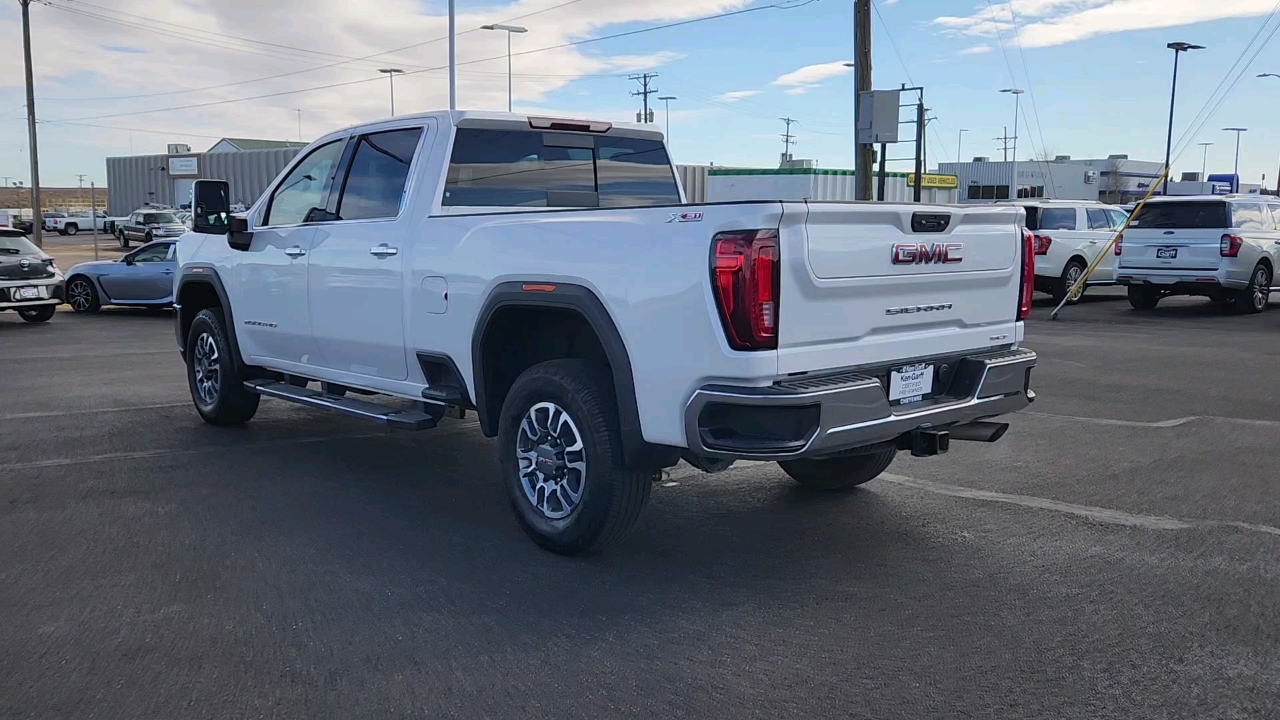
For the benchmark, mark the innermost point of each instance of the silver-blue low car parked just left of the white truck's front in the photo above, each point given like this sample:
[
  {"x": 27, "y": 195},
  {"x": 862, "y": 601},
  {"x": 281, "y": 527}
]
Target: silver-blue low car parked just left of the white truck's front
[{"x": 144, "y": 279}]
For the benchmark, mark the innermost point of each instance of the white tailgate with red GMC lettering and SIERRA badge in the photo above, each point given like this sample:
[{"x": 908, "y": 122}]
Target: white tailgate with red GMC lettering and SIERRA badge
[{"x": 866, "y": 285}]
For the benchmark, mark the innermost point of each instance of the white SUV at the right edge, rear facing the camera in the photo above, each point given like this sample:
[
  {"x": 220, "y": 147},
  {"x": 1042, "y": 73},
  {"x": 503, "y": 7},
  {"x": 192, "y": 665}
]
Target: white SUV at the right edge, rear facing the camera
[{"x": 1224, "y": 248}]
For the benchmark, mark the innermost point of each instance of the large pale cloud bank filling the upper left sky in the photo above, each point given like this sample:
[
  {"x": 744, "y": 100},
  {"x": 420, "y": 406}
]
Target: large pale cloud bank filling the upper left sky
[{"x": 244, "y": 75}]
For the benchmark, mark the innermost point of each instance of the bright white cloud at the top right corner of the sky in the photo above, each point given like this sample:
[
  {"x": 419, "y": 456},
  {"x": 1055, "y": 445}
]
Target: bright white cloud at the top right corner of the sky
[{"x": 1044, "y": 24}]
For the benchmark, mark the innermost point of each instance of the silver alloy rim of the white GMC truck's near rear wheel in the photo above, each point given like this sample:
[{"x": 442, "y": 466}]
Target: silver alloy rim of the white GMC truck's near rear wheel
[{"x": 552, "y": 461}]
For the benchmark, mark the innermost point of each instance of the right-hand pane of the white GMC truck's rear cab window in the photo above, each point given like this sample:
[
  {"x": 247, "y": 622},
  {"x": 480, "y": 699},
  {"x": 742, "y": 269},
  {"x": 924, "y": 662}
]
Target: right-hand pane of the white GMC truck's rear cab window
[{"x": 634, "y": 172}]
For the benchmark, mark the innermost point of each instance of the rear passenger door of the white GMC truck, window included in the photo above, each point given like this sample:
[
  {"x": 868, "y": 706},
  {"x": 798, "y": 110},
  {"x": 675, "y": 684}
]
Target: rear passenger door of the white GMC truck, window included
[{"x": 356, "y": 276}]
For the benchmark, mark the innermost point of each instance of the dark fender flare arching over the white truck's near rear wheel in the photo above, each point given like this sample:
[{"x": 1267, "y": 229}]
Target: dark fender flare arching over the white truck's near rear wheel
[{"x": 584, "y": 302}]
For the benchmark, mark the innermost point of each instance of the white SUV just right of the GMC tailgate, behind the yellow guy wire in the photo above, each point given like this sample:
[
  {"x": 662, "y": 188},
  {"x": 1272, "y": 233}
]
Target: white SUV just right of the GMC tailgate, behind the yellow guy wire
[{"x": 1069, "y": 235}]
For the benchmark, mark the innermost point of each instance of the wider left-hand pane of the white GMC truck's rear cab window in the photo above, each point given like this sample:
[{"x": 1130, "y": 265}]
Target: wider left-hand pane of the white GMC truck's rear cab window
[{"x": 514, "y": 170}]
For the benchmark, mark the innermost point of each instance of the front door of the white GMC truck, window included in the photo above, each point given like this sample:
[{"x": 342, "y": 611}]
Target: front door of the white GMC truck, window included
[{"x": 271, "y": 289}]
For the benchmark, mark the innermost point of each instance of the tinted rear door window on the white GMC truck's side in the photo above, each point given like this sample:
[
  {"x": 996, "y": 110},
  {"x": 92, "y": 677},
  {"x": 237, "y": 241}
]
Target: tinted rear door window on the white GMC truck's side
[{"x": 380, "y": 170}]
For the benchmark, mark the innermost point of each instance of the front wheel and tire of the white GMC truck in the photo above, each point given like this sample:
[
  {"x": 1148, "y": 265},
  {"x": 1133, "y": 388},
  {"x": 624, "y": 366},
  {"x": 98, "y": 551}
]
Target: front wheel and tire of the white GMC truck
[{"x": 217, "y": 386}]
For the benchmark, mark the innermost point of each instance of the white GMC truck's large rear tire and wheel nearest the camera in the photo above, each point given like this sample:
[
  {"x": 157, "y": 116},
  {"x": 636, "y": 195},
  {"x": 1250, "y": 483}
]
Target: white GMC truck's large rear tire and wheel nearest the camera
[{"x": 610, "y": 495}]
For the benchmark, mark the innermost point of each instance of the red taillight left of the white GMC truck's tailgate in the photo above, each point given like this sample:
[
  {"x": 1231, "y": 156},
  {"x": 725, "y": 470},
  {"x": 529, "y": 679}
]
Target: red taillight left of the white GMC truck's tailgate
[{"x": 746, "y": 277}]
